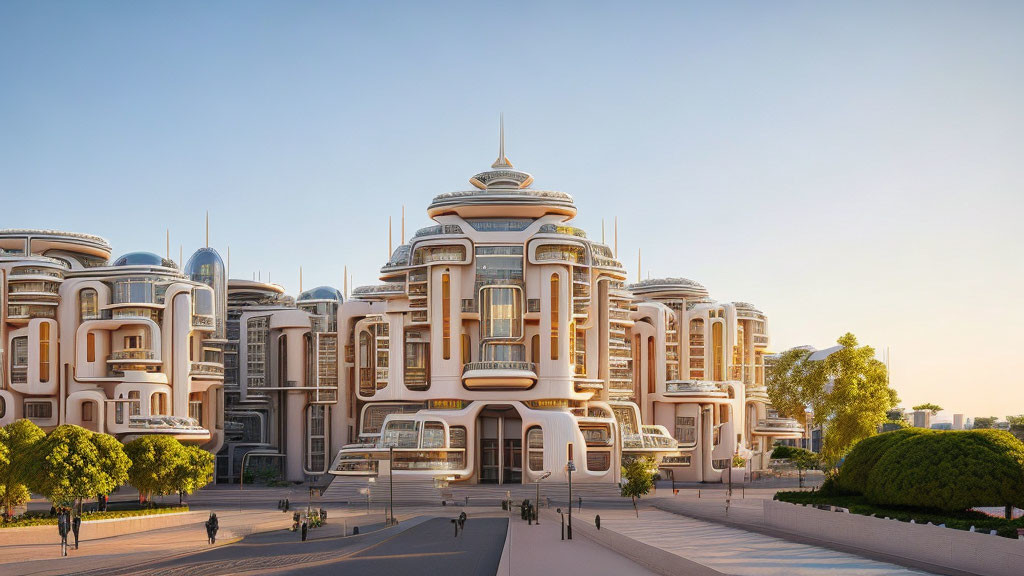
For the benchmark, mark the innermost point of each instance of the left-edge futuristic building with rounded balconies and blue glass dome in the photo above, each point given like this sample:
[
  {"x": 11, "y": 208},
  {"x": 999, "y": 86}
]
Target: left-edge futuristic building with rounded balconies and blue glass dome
[{"x": 129, "y": 349}]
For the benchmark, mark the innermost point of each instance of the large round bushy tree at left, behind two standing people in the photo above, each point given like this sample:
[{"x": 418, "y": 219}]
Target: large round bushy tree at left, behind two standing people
[{"x": 72, "y": 464}]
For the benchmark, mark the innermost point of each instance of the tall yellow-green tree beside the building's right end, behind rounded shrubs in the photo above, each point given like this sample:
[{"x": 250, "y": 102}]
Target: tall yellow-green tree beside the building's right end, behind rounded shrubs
[{"x": 848, "y": 393}]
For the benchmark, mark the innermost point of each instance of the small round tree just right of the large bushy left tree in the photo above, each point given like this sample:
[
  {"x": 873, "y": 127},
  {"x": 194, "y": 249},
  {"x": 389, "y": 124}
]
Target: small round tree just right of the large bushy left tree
[{"x": 154, "y": 462}]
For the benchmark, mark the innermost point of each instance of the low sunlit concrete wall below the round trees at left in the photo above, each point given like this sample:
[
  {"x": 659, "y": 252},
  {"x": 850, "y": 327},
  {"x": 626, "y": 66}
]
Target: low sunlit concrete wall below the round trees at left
[{"x": 96, "y": 529}]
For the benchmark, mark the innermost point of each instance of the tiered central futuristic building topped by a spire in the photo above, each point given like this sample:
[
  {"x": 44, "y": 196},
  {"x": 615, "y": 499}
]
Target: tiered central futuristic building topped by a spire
[{"x": 497, "y": 349}]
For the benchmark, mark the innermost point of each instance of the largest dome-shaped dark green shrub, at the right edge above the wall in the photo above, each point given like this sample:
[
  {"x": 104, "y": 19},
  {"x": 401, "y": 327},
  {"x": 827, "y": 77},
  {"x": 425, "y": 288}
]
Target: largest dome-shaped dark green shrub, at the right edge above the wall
[{"x": 951, "y": 471}]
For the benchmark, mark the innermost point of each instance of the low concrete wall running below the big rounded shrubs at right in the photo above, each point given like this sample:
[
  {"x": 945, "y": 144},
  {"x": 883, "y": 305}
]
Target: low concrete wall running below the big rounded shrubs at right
[{"x": 957, "y": 550}]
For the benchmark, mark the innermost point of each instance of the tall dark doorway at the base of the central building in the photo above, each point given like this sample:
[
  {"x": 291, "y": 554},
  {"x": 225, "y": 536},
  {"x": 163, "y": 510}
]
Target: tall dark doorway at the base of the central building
[{"x": 500, "y": 445}]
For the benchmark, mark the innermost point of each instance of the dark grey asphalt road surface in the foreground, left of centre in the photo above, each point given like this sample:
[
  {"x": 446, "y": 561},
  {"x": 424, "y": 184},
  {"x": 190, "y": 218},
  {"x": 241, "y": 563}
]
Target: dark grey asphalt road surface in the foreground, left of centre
[{"x": 422, "y": 547}]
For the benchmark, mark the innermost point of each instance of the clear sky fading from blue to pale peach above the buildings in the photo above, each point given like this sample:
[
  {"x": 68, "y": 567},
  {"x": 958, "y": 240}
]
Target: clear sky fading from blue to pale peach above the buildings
[{"x": 855, "y": 168}]
